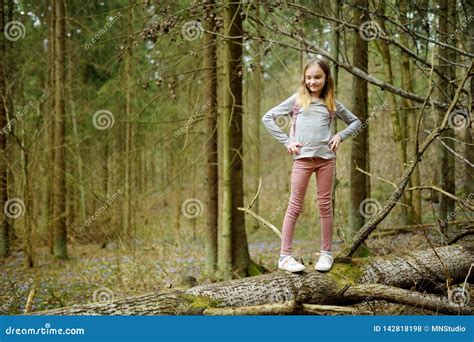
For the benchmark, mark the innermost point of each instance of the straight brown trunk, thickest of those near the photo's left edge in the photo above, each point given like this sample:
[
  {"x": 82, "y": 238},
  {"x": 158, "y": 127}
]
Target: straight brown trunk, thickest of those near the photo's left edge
[{"x": 59, "y": 179}]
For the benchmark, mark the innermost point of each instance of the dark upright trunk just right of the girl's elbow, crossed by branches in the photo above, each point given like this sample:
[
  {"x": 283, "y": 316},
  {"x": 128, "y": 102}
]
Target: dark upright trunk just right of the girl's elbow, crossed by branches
[{"x": 359, "y": 182}]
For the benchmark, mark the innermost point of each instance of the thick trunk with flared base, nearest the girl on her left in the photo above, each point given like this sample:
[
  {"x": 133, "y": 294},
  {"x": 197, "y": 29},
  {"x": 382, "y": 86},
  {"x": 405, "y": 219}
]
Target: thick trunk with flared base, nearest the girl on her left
[{"x": 236, "y": 258}]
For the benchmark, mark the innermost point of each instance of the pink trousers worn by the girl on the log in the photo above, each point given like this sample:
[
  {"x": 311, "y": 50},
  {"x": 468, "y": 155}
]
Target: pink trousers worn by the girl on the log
[{"x": 303, "y": 168}]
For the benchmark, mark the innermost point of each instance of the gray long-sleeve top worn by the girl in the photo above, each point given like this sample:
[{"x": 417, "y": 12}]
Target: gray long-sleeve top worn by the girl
[{"x": 312, "y": 127}]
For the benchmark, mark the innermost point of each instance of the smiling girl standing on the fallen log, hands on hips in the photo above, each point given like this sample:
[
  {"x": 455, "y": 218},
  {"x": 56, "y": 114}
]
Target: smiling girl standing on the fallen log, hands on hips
[{"x": 313, "y": 149}]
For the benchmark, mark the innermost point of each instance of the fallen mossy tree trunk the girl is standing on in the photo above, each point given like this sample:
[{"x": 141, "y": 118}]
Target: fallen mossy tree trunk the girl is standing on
[{"x": 389, "y": 278}]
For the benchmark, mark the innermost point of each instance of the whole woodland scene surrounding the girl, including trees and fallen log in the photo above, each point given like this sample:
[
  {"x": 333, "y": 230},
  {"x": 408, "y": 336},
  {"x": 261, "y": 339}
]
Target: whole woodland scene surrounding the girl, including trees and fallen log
[{"x": 136, "y": 169}]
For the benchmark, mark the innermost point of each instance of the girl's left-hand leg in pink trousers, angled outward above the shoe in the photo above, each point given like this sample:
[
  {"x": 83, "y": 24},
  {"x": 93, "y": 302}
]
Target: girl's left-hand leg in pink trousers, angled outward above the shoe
[{"x": 300, "y": 175}]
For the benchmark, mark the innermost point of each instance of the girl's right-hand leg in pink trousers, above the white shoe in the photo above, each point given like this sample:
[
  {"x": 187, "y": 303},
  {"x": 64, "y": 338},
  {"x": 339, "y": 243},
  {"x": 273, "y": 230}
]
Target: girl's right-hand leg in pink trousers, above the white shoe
[{"x": 324, "y": 179}]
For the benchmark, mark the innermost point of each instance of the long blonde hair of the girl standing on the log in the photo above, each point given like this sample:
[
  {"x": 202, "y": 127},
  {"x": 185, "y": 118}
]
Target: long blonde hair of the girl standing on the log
[{"x": 327, "y": 94}]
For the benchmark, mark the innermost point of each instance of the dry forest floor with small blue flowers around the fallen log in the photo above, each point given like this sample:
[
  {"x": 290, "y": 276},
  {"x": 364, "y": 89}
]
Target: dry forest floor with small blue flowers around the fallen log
[{"x": 96, "y": 275}]
